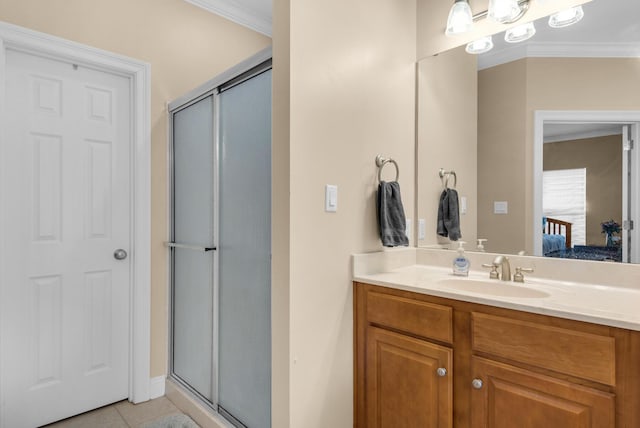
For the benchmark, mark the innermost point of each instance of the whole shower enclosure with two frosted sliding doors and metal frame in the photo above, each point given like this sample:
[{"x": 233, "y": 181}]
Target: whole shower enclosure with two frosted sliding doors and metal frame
[{"x": 220, "y": 243}]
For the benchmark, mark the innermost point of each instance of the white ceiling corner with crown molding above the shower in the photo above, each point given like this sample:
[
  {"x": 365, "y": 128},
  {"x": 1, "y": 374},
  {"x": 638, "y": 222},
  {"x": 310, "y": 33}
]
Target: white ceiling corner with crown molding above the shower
[{"x": 254, "y": 14}]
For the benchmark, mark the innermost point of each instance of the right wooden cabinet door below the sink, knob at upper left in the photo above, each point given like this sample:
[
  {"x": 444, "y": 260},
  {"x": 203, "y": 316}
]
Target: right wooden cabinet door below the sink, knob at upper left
[{"x": 511, "y": 397}]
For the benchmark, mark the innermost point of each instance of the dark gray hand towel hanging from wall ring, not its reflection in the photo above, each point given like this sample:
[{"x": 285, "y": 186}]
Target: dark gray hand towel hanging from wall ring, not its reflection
[{"x": 391, "y": 220}]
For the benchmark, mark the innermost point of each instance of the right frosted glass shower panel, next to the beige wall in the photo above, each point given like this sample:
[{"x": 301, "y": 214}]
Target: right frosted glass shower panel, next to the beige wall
[{"x": 245, "y": 246}]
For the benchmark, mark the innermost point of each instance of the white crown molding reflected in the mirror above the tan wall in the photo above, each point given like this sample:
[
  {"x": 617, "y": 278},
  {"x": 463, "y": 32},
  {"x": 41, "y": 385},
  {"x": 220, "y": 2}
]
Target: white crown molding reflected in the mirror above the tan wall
[{"x": 558, "y": 50}]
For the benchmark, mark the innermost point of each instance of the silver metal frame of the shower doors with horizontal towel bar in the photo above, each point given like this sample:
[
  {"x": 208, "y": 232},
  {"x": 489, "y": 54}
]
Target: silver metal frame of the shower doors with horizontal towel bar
[{"x": 243, "y": 71}]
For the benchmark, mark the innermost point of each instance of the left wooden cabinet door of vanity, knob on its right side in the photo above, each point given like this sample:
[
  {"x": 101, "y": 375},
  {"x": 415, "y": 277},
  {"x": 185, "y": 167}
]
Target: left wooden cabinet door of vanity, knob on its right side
[{"x": 403, "y": 386}]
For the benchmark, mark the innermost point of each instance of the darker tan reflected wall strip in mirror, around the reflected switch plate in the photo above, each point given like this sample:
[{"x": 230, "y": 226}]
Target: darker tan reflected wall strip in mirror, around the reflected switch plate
[{"x": 502, "y": 156}]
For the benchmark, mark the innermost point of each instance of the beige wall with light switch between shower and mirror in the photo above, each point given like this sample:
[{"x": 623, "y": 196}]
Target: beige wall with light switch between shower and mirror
[{"x": 351, "y": 97}]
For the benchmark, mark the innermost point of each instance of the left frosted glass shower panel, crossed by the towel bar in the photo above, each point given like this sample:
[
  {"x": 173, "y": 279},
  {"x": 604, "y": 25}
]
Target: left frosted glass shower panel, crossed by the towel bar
[{"x": 193, "y": 216}]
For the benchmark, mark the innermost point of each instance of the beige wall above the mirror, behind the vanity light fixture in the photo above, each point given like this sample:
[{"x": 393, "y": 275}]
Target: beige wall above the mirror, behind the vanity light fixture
[{"x": 432, "y": 21}]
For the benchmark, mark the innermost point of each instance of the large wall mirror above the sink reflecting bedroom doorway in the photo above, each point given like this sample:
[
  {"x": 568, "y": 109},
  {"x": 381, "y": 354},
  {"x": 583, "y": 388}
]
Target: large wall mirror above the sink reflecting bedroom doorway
[{"x": 486, "y": 117}]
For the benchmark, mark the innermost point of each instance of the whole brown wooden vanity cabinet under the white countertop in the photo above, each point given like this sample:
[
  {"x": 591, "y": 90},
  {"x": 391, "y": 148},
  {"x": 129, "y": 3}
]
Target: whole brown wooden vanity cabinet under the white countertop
[{"x": 512, "y": 368}]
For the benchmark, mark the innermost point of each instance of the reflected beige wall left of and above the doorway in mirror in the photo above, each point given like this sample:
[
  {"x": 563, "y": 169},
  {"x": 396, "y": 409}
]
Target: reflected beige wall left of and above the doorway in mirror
[{"x": 506, "y": 124}]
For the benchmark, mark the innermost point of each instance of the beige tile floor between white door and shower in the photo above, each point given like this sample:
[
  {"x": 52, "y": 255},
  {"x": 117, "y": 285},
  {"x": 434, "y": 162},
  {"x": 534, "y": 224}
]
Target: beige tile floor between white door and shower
[{"x": 121, "y": 415}]
